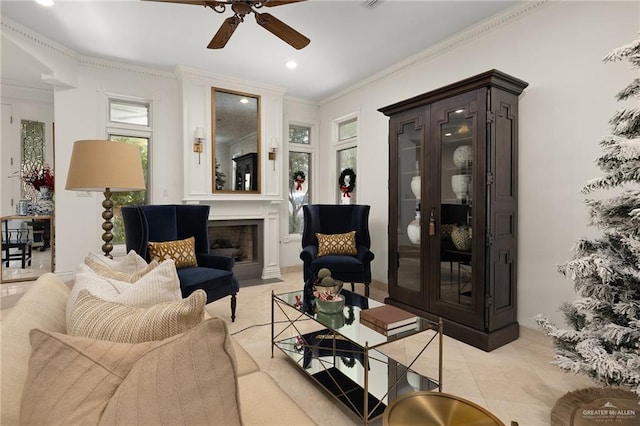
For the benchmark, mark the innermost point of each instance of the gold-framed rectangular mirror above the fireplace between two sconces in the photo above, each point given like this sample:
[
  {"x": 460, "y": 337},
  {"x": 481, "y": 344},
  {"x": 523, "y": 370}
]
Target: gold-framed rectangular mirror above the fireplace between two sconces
[{"x": 236, "y": 141}]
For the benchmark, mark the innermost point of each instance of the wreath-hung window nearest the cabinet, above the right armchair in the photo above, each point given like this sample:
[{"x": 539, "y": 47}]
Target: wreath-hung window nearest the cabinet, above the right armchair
[{"x": 346, "y": 148}]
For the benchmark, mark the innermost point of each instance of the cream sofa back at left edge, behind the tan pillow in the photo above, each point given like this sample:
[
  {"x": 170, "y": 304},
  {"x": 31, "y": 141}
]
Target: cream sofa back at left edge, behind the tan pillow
[{"x": 43, "y": 307}]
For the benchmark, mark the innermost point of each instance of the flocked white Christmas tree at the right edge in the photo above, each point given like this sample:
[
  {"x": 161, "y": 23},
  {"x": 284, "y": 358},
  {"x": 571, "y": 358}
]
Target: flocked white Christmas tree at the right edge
[{"x": 602, "y": 340}]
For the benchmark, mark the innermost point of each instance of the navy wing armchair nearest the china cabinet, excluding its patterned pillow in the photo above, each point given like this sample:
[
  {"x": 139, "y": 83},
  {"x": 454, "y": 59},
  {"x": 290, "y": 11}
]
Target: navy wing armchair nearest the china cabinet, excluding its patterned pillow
[{"x": 337, "y": 219}]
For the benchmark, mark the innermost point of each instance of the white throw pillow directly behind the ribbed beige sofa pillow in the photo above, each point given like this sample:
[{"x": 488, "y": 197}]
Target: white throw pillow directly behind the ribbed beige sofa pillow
[{"x": 158, "y": 286}]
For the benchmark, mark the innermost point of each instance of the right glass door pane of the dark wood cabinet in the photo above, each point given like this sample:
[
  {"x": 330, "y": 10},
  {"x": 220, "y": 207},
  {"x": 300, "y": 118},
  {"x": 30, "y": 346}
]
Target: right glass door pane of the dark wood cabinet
[{"x": 456, "y": 136}]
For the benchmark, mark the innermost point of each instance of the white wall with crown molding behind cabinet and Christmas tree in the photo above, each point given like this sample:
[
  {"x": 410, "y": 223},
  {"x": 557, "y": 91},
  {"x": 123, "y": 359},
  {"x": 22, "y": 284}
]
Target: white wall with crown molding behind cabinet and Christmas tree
[{"x": 564, "y": 113}]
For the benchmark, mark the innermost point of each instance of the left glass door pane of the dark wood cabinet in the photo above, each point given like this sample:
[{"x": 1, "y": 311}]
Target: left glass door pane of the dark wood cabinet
[{"x": 409, "y": 222}]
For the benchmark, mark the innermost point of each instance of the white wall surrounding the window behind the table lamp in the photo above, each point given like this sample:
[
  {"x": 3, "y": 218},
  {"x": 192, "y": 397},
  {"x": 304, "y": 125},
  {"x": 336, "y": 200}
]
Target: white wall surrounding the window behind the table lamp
[{"x": 81, "y": 113}]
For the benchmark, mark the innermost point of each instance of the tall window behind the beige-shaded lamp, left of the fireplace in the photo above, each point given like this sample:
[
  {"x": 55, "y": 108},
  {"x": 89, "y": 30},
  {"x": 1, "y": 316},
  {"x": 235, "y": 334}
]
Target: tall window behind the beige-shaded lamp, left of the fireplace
[{"x": 129, "y": 123}]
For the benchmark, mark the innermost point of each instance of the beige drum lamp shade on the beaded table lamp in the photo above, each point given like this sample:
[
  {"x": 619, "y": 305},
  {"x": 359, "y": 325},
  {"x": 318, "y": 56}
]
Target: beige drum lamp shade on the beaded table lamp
[{"x": 97, "y": 165}]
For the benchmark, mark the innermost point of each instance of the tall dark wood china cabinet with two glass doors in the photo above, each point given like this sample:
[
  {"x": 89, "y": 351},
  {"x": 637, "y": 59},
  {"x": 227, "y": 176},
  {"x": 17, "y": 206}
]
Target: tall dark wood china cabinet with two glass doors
[{"x": 453, "y": 156}]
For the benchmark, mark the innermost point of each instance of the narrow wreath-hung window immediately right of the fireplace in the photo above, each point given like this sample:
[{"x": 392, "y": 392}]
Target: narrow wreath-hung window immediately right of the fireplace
[{"x": 300, "y": 155}]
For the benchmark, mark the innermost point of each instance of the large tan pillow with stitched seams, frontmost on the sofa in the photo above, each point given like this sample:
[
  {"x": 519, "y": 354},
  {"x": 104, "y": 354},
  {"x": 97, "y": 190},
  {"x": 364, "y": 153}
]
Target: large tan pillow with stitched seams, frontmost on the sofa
[{"x": 75, "y": 380}]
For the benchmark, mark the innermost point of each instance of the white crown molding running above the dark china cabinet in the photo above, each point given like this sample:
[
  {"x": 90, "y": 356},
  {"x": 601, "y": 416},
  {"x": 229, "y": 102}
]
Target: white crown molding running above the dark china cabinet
[{"x": 447, "y": 45}]
